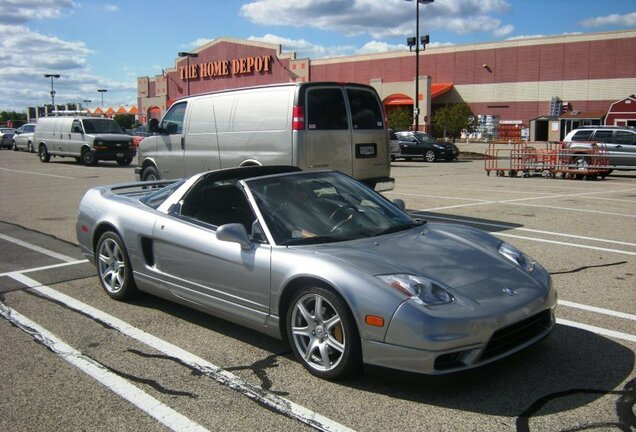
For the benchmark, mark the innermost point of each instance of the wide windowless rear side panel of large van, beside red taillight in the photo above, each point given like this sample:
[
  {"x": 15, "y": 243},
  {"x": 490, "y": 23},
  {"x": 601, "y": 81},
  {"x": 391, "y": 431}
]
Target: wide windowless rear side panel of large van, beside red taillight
[{"x": 257, "y": 127}]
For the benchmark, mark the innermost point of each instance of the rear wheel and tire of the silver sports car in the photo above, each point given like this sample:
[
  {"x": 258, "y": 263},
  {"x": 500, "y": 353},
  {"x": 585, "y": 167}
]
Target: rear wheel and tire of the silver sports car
[{"x": 113, "y": 267}]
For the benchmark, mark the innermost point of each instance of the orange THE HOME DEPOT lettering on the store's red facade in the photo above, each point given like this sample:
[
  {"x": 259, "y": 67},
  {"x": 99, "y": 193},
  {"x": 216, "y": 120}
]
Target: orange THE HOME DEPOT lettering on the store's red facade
[{"x": 220, "y": 68}]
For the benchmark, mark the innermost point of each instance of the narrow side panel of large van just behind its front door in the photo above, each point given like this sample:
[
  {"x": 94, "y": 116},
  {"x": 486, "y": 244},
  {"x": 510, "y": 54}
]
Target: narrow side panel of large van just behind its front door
[{"x": 201, "y": 144}]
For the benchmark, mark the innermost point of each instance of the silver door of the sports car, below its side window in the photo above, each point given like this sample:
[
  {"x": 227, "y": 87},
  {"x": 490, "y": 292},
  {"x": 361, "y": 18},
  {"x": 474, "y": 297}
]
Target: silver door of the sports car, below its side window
[{"x": 216, "y": 274}]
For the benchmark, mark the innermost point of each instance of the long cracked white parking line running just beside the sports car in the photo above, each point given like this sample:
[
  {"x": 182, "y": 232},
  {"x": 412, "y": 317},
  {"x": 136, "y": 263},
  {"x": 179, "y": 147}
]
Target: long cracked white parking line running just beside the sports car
[{"x": 262, "y": 396}]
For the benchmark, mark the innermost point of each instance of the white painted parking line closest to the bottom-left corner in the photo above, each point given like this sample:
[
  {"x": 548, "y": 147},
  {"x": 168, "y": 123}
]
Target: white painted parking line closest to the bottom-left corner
[{"x": 118, "y": 385}]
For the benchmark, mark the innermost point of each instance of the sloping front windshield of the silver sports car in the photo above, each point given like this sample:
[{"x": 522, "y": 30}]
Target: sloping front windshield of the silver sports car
[{"x": 311, "y": 208}]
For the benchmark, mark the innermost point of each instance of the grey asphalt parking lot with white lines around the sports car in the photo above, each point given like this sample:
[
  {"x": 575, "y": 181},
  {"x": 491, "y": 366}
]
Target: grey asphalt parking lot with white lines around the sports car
[{"x": 73, "y": 359}]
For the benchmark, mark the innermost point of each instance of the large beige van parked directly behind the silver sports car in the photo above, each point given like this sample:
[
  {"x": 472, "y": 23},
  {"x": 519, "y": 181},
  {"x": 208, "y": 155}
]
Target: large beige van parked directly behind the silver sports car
[{"x": 309, "y": 125}]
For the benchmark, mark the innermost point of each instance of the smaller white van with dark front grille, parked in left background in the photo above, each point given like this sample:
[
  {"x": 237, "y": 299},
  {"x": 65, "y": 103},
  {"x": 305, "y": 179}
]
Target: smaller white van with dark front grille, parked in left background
[{"x": 87, "y": 139}]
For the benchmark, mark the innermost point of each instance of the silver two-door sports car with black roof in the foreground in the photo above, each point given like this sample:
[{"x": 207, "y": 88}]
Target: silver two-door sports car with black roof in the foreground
[{"x": 319, "y": 259}]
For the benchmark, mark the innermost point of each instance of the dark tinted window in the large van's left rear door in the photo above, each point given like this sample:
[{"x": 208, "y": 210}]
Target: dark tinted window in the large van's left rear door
[{"x": 326, "y": 109}]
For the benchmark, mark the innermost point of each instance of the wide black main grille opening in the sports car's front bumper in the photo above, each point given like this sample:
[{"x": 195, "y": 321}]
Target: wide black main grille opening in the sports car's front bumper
[{"x": 517, "y": 334}]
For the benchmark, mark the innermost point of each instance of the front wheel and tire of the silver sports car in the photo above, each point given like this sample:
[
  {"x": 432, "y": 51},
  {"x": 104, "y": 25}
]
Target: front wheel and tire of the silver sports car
[{"x": 326, "y": 343}]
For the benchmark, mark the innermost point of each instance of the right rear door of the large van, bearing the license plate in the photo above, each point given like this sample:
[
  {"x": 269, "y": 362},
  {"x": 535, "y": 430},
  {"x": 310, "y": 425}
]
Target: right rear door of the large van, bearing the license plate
[{"x": 370, "y": 147}]
